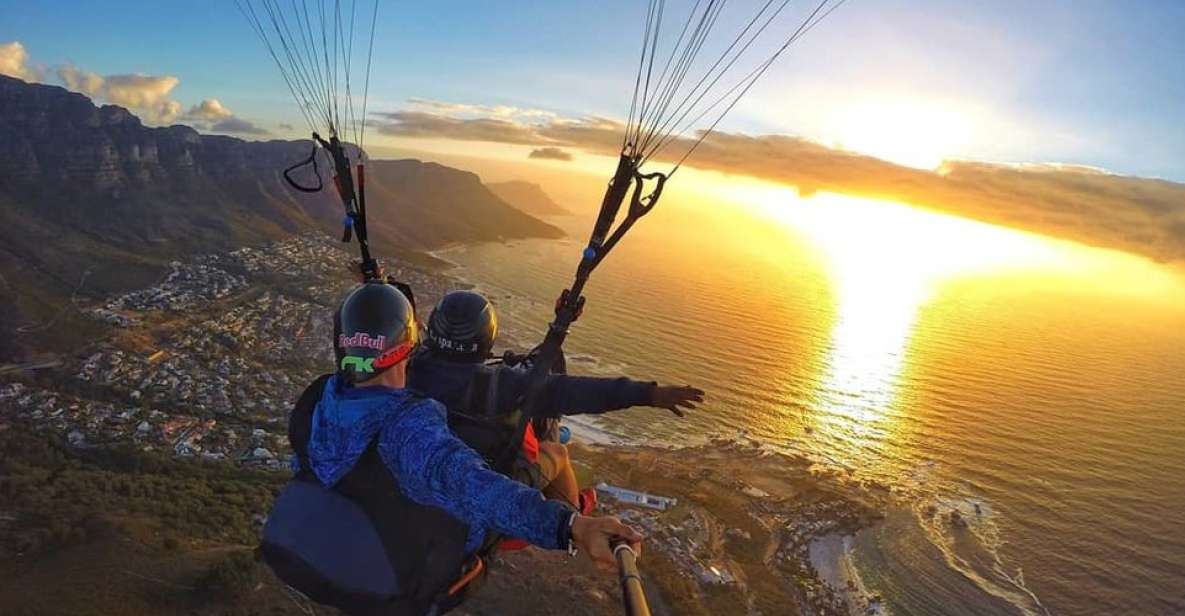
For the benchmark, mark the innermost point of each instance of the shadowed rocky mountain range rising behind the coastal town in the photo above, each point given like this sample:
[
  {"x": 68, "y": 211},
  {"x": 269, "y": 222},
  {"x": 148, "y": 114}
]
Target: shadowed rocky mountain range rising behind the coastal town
[{"x": 91, "y": 189}]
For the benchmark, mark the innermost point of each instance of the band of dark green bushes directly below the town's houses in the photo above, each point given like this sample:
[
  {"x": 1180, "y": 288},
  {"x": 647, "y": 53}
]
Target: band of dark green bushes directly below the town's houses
[{"x": 54, "y": 497}]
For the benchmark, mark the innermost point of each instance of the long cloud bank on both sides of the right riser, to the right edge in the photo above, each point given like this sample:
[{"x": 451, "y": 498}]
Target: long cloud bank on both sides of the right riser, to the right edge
[{"x": 1084, "y": 204}]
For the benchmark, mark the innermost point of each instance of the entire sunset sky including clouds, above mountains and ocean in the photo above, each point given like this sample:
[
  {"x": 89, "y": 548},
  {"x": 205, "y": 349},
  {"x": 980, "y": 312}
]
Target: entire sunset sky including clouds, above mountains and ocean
[{"x": 1090, "y": 84}]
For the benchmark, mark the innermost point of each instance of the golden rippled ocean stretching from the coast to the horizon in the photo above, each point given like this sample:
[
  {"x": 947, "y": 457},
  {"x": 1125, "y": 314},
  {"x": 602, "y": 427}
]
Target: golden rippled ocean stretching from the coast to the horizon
[{"x": 1036, "y": 387}]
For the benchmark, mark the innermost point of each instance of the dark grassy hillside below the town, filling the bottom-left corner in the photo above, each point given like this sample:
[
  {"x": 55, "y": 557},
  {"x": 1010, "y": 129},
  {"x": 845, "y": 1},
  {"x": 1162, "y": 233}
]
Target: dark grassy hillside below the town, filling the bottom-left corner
[{"x": 118, "y": 531}]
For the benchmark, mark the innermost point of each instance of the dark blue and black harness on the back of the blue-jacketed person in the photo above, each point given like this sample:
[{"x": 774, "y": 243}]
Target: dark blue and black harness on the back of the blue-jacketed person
[{"x": 421, "y": 549}]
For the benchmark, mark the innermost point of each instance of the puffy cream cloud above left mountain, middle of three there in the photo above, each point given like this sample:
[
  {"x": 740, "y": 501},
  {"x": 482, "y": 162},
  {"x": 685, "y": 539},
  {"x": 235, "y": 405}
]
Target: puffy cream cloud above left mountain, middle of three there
[{"x": 148, "y": 95}]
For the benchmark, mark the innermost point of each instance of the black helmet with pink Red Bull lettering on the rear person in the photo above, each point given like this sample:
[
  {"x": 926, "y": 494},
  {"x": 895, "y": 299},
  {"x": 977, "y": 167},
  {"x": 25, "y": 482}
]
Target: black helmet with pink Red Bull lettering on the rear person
[{"x": 374, "y": 330}]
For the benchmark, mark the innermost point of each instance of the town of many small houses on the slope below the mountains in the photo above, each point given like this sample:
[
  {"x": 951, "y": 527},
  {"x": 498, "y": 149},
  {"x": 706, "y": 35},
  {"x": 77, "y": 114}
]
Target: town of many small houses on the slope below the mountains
[{"x": 204, "y": 364}]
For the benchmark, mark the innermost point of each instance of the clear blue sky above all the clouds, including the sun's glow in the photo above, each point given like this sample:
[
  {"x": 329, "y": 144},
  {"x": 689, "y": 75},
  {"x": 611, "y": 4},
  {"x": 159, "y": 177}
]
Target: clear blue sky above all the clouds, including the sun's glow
[{"x": 1087, "y": 82}]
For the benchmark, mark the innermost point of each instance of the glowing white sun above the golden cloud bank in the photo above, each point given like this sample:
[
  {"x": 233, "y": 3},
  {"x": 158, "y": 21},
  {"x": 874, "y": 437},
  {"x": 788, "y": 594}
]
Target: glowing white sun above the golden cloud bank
[{"x": 914, "y": 133}]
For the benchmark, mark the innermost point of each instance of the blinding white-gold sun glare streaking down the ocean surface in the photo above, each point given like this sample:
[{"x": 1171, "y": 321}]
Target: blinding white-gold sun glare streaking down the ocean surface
[{"x": 886, "y": 262}]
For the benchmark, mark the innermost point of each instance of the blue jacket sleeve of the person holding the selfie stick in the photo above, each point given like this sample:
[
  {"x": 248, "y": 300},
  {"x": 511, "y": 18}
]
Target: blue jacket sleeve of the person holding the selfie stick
[{"x": 437, "y": 469}]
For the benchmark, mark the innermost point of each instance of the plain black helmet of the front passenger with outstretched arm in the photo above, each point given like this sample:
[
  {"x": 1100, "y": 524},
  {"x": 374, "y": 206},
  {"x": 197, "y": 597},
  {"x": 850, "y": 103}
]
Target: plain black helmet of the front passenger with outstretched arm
[{"x": 463, "y": 328}]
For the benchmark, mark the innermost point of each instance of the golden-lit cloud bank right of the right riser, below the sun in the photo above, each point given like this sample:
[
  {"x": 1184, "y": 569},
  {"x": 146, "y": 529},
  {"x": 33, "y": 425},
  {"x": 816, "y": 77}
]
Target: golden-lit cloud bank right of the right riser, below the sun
[{"x": 1137, "y": 215}]
